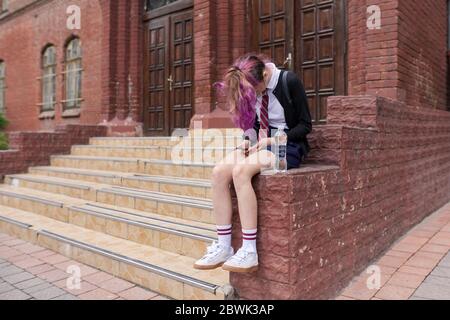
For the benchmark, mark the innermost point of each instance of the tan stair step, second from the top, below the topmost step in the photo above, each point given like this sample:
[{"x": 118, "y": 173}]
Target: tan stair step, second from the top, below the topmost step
[{"x": 194, "y": 154}]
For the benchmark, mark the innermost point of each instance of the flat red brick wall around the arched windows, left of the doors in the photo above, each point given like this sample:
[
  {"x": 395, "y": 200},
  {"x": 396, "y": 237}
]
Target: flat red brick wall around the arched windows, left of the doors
[{"x": 43, "y": 24}]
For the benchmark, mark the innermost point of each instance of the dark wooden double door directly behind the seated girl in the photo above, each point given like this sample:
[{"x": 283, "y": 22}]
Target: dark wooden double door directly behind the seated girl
[{"x": 308, "y": 37}]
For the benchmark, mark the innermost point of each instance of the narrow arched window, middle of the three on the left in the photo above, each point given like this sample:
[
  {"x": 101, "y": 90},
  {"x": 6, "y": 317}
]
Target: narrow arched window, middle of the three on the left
[{"x": 48, "y": 79}]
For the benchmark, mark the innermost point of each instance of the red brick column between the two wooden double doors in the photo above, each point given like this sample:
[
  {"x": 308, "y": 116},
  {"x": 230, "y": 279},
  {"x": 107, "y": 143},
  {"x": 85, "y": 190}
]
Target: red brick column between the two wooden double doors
[{"x": 219, "y": 39}]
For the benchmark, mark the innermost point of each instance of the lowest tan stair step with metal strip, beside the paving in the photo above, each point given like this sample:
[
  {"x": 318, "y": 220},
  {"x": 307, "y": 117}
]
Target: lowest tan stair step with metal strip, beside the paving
[{"x": 165, "y": 272}]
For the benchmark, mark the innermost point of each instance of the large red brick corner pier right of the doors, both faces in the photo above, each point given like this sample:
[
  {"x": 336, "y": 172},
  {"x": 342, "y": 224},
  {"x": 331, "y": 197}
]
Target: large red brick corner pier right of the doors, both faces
[{"x": 405, "y": 59}]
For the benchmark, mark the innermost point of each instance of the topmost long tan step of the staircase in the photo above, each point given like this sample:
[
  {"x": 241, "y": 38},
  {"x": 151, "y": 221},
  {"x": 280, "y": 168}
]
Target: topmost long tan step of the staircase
[{"x": 190, "y": 141}]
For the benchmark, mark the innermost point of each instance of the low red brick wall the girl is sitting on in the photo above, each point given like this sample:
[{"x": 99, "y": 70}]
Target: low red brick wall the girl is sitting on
[{"x": 321, "y": 225}]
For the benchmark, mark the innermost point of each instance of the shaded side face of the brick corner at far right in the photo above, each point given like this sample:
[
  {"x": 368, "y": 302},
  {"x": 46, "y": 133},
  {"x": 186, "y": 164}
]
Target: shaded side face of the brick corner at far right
[{"x": 422, "y": 39}]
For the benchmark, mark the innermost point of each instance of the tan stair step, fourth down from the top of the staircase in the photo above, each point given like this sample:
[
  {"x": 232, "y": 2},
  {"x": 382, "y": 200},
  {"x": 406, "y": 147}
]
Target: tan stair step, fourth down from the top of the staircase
[{"x": 199, "y": 188}]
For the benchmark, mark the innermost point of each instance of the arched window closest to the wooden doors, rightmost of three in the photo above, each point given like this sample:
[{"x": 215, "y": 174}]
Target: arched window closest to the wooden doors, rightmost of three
[{"x": 73, "y": 74}]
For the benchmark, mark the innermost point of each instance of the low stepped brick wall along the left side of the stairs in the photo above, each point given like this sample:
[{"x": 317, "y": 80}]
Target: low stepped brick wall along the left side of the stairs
[{"x": 35, "y": 148}]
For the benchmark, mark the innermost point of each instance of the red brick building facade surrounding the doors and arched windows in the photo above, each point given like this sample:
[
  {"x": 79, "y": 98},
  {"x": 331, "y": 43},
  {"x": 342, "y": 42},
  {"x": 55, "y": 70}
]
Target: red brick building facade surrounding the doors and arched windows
[{"x": 405, "y": 60}]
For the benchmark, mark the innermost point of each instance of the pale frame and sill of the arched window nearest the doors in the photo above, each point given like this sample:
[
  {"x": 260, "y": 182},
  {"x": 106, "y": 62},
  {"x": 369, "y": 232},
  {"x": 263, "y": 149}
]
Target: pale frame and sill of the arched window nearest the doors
[{"x": 72, "y": 65}]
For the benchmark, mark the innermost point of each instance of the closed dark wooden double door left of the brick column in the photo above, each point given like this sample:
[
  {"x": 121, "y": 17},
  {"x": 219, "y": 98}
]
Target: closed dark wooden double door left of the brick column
[{"x": 168, "y": 74}]
